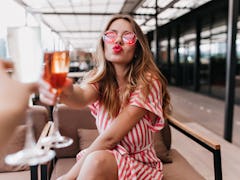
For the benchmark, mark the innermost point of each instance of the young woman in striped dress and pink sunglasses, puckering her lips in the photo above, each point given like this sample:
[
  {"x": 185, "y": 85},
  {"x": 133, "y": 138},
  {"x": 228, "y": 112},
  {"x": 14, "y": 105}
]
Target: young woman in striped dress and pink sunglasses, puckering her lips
[{"x": 128, "y": 97}]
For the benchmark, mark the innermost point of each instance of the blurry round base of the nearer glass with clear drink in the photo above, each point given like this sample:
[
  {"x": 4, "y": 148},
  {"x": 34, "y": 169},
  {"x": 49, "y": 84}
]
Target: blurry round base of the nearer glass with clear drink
[{"x": 30, "y": 157}]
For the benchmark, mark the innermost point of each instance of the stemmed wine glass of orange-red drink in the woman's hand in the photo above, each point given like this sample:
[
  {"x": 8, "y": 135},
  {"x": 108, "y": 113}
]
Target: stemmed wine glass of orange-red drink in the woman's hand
[{"x": 55, "y": 72}]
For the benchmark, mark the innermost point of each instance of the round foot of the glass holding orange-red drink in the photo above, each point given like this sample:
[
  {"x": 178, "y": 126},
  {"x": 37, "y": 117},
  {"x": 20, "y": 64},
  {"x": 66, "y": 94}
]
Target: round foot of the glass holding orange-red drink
[{"x": 57, "y": 141}]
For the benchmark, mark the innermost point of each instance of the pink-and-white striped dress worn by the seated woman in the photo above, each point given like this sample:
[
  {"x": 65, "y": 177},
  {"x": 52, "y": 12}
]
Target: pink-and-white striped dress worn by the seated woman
[{"x": 135, "y": 155}]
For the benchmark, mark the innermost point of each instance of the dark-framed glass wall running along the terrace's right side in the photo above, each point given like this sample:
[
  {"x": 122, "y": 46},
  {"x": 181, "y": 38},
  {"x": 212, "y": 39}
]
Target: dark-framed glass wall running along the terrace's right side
[{"x": 210, "y": 71}]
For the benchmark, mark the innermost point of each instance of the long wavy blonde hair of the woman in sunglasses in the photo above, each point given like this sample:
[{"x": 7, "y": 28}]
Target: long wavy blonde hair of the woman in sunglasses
[{"x": 137, "y": 75}]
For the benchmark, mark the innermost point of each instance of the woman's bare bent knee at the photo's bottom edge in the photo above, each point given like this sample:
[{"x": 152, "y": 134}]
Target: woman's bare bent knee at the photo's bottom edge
[{"x": 99, "y": 165}]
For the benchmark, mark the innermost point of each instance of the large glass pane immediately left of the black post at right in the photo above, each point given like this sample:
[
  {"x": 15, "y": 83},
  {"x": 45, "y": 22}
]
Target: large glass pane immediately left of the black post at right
[{"x": 213, "y": 59}]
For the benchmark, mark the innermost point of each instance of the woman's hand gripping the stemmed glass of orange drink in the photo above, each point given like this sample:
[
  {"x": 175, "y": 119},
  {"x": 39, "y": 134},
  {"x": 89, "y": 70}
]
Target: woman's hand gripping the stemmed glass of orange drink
[{"x": 48, "y": 95}]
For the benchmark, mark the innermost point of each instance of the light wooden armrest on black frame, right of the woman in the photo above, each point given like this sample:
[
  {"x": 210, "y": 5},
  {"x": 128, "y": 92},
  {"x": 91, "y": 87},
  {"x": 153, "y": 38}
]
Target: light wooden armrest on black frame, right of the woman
[{"x": 172, "y": 121}]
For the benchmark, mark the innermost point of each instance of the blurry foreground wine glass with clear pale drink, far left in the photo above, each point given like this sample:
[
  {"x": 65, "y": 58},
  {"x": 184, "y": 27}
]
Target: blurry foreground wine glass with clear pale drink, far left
[{"x": 24, "y": 45}]
